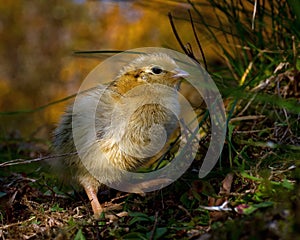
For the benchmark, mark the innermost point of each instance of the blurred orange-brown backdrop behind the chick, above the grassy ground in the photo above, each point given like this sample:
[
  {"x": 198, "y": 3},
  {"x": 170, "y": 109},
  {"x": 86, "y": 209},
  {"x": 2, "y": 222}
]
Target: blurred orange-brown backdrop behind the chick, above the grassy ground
[{"x": 37, "y": 43}]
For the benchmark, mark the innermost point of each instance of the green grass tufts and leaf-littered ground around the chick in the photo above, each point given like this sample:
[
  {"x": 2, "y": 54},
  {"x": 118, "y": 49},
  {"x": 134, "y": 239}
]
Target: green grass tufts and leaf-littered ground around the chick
[{"x": 258, "y": 172}]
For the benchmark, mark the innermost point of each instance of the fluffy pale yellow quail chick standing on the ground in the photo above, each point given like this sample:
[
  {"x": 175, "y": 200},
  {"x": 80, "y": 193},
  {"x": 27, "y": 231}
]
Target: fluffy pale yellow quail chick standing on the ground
[{"x": 124, "y": 129}]
